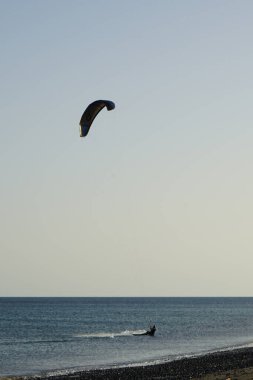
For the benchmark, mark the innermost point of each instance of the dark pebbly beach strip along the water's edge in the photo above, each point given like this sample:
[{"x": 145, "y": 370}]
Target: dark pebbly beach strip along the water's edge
[{"x": 222, "y": 365}]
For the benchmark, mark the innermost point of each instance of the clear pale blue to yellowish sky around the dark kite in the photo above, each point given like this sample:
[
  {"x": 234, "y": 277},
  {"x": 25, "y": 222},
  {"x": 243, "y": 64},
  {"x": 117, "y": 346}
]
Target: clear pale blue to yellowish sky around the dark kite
[{"x": 157, "y": 199}]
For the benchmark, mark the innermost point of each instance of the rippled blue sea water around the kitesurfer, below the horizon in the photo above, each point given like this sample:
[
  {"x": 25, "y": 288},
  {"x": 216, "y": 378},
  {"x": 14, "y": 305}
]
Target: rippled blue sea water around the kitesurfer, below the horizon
[{"x": 47, "y": 335}]
